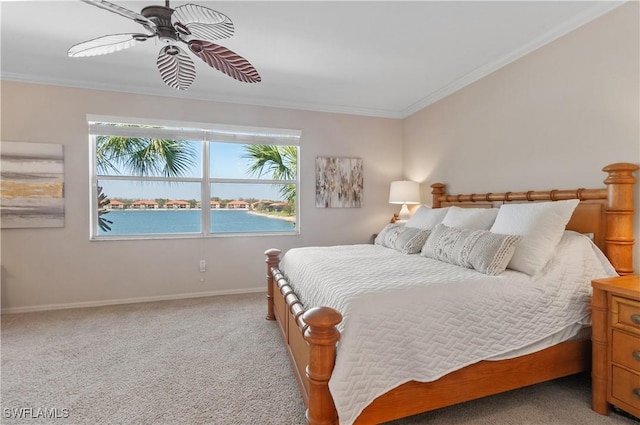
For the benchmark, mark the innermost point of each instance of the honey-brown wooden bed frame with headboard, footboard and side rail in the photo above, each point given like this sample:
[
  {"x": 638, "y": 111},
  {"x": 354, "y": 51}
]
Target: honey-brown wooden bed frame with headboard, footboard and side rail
[{"x": 311, "y": 336}]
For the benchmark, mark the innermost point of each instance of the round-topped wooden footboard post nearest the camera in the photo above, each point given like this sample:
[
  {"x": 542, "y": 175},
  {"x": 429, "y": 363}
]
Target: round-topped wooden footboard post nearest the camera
[{"x": 322, "y": 336}]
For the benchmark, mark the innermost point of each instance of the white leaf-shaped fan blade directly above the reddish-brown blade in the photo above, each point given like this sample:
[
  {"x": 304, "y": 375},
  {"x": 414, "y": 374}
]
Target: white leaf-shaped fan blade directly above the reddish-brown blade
[{"x": 199, "y": 22}]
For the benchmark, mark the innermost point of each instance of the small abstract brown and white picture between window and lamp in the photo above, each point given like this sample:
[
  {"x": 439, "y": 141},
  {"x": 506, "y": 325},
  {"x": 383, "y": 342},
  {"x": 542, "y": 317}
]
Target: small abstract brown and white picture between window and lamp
[{"x": 339, "y": 182}]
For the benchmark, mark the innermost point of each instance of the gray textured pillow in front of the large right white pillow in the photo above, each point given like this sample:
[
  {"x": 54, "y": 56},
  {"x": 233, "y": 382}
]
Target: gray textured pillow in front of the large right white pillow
[{"x": 486, "y": 252}]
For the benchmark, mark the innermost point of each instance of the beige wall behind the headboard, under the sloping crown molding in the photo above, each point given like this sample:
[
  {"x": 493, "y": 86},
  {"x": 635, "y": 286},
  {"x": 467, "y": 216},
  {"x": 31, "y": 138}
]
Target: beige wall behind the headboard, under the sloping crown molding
[{"x": 550, "y": 120}]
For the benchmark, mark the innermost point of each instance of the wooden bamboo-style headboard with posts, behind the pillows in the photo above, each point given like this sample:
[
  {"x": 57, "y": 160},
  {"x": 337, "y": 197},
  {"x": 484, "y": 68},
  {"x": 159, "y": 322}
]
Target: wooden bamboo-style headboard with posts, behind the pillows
[{"x": 606, "y": 212}]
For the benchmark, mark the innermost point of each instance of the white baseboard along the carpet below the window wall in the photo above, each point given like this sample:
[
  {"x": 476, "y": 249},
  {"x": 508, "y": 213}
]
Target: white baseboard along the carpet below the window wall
[{"x": 46, "y": 307}]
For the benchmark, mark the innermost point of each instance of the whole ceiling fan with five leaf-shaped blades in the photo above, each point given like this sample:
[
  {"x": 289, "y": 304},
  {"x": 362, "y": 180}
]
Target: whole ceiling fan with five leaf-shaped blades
[{"x": 190, "y": 24}]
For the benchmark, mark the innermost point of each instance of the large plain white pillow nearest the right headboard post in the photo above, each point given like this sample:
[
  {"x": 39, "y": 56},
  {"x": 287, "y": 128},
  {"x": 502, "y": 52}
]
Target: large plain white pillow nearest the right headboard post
[{"x": 541, "y": 226}]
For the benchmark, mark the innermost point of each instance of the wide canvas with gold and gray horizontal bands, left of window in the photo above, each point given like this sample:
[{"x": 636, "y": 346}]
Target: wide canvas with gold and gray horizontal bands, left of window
[{"x": 32, "y": 185}]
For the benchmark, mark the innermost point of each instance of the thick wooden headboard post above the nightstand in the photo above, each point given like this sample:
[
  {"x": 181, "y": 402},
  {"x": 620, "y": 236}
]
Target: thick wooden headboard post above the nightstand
[{"x": 619, "y": 216}]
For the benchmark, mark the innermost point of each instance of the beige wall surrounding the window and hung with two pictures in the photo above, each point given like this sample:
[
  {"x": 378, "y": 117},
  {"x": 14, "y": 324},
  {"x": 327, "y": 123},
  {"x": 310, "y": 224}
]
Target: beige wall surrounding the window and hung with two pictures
[{"x": 49, "y": 267}]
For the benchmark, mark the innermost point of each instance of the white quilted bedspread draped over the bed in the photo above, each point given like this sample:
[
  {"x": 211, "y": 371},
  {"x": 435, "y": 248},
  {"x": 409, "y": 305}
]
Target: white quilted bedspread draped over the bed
[{"x": 408, "y": 317}]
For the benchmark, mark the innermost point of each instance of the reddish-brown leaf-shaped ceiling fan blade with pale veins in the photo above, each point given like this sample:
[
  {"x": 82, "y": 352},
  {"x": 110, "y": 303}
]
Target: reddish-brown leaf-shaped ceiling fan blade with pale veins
[{"x": 225, "y": 60}]
